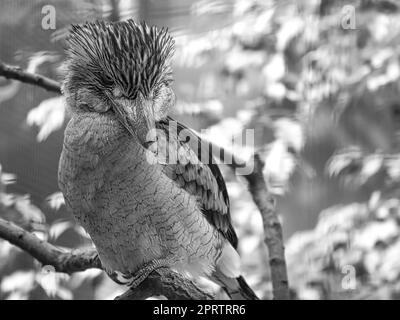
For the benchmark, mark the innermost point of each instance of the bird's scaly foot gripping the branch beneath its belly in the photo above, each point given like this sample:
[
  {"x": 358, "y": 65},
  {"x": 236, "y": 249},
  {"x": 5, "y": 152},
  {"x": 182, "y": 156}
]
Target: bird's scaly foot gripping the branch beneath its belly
[{"x": 133, "y": 280}]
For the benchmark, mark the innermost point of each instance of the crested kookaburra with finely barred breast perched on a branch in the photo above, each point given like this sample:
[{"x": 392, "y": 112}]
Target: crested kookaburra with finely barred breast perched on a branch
[{"x": 143, "y": 185}]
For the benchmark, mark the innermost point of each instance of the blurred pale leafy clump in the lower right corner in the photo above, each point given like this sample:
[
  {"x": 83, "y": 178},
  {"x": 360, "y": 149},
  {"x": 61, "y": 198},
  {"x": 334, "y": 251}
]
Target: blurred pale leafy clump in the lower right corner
[{"x": 353, "y": 253}]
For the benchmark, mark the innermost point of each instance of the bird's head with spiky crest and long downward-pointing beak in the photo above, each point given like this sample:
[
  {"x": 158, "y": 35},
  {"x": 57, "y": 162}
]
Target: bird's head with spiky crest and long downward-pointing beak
[{"x": 121, "y": 70}]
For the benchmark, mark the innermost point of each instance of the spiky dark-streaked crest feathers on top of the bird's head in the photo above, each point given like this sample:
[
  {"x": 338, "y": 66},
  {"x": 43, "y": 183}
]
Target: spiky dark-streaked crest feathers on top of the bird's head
[{"x": 132, "y": 55}]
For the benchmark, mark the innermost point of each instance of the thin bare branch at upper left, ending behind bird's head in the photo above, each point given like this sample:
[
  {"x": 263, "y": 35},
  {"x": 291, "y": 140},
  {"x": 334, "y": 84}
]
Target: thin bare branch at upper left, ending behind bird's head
[{"x": 16, "y": 73}]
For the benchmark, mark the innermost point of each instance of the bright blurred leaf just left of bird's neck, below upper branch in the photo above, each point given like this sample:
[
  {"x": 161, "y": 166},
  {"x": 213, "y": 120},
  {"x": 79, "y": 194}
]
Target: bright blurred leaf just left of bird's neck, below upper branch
[{"x": 49, "y": 116}]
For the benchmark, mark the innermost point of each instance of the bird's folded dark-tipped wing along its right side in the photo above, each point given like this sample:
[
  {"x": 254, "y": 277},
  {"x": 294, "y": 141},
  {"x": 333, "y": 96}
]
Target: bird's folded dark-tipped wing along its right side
[{"x": 188, "y": 161}]
